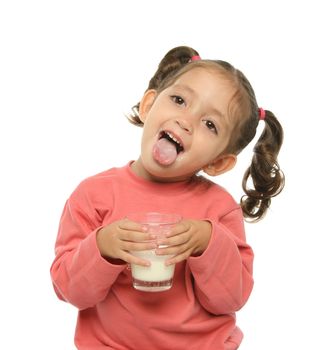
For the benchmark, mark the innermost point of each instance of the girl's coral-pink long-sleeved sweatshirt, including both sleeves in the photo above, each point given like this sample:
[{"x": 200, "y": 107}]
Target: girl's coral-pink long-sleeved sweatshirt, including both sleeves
[{"x": 198, "y": 312}]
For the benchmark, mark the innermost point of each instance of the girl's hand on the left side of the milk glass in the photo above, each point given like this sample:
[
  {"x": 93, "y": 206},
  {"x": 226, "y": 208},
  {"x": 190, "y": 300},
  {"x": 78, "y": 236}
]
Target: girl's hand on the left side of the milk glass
[{"x": 116, "y": 240}]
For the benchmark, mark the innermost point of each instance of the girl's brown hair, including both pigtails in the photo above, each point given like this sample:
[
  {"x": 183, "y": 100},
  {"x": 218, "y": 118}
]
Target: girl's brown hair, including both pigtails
[{"x": 267, "y": 180}]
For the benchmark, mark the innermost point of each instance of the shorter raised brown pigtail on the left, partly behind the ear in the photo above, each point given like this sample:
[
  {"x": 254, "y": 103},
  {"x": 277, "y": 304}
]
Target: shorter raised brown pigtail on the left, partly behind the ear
[{"x": 169, "y": 65}]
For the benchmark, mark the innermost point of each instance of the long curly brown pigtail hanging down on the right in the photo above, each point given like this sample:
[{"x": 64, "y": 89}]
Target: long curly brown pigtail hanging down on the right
[{"x": 264, "y": 171}]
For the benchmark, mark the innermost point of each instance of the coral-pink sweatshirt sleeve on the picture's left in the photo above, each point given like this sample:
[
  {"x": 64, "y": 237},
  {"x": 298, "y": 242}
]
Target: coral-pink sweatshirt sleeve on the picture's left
[{"x": 79, "y": 274}]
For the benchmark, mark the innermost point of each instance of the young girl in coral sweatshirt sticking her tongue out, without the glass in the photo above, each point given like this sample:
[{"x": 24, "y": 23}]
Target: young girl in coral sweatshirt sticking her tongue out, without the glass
[{"x": 196, "y": 115}]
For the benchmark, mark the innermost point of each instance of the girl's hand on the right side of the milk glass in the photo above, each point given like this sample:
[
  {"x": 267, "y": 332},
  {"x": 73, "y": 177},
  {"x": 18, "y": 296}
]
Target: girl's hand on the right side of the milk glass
[{"x": 187, "y": 238}]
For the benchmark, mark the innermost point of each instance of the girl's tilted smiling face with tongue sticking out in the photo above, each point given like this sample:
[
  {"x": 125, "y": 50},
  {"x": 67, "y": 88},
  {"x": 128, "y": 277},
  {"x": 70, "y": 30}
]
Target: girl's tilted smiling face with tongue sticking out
[{"x": 194, "y": 111}]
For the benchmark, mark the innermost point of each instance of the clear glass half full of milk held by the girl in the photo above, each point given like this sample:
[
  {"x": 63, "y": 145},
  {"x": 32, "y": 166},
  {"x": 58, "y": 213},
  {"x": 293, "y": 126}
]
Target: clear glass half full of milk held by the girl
[{"x": 157, "y": 277}]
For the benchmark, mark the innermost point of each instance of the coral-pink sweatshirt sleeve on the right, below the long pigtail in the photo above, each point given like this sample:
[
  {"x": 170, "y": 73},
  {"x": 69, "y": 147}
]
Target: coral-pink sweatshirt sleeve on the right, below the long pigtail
[{"x": 223, "y": 273}]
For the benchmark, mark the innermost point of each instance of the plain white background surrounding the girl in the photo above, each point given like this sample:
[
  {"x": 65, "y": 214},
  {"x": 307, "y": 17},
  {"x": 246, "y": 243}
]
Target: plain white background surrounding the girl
[{"x": 69, "y": 70}]
